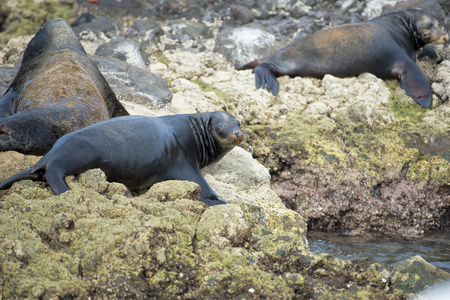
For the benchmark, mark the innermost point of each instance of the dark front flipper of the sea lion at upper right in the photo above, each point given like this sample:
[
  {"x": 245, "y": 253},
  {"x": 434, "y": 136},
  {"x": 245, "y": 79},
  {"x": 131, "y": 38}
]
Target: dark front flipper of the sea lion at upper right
[{"x": 414, "y": 82}]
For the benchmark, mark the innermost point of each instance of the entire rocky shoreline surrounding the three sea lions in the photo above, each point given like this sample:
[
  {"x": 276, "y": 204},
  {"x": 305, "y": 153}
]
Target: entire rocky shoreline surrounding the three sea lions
[{"x": 354, "y": 154}]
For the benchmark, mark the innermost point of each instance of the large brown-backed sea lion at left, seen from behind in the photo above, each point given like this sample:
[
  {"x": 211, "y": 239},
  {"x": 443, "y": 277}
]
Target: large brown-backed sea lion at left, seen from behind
[{"x": 57, "y": 90}]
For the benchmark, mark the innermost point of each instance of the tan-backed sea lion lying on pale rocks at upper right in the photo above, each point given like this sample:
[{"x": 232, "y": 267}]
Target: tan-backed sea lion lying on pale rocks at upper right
[{"x": 385, "y": 46}]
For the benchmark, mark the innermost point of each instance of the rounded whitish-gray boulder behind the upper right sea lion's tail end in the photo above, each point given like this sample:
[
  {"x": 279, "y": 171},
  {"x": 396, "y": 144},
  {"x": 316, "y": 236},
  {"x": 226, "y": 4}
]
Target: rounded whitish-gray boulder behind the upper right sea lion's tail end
[{"x": 243, "y": 44}]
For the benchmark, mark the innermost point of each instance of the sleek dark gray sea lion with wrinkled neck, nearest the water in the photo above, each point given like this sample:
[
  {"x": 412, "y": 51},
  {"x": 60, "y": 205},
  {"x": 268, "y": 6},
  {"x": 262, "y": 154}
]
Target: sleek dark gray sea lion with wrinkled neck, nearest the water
[{"x": 140, "y": 151}]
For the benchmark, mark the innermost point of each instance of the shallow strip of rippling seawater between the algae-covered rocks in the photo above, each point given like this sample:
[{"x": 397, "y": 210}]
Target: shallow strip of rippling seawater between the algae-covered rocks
[{"x": 434, "y": 247}]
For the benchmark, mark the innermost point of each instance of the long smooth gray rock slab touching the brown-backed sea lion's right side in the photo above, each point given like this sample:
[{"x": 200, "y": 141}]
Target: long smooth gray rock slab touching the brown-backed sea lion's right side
[{"x": 133, "y": 84}]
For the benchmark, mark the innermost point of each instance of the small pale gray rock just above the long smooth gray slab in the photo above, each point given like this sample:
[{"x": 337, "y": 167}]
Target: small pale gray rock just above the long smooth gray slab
[{"x": 123, "y": 49}]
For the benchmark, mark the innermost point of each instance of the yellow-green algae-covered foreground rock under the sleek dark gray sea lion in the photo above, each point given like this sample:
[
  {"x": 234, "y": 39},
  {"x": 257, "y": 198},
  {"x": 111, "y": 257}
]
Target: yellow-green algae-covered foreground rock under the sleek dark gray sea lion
[{"x": 165, "y": 243}]
